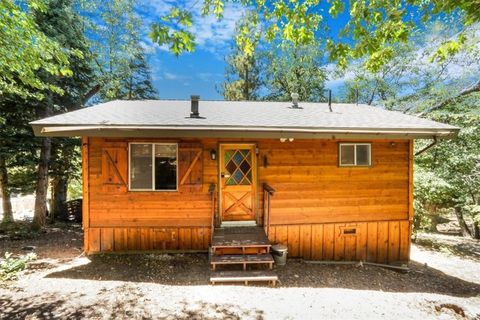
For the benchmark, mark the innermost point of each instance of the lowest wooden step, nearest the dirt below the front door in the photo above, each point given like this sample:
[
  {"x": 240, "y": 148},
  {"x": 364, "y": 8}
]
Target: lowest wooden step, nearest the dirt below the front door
[{"x": 244, "y": 276}]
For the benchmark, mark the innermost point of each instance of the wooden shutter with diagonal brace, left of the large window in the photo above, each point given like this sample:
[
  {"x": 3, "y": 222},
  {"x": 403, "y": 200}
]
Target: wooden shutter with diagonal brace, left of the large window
[{"x": 114, "y": 168}]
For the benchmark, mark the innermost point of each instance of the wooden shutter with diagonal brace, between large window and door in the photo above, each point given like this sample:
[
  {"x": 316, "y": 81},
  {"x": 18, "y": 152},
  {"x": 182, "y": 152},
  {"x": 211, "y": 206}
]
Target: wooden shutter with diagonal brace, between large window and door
[{"x": 190, "y": 166}]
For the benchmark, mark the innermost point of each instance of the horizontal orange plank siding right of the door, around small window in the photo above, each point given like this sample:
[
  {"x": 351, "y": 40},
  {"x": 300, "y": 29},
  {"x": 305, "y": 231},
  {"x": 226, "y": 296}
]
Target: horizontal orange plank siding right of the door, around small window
[{"x": 312, "y": 188}]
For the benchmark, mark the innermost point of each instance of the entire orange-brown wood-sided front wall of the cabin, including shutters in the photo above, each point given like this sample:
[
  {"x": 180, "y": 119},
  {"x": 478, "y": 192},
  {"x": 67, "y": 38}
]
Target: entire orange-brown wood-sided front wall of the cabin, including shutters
[{"x": 315, "y": 199}]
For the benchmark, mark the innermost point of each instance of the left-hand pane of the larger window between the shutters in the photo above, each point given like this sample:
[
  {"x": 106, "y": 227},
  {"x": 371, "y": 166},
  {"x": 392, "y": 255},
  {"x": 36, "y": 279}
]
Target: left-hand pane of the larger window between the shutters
[{"x": 141, "y": 166}]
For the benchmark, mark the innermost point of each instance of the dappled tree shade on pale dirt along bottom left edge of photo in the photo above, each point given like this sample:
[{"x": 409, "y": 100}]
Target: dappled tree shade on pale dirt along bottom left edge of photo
[{"x": 123, "y": 302}]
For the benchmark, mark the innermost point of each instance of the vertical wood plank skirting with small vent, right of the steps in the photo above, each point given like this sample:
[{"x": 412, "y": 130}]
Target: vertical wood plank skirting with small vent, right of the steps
[{"x": 382, "y": 242}]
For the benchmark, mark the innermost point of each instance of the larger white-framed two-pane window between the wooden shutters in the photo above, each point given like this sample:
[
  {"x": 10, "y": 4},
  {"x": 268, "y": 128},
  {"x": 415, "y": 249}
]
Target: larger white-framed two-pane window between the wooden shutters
[{"x": 153, "y": 166}]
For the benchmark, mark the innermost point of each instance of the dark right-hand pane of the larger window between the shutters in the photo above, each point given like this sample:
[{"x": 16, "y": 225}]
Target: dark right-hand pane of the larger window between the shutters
[{"x": 165, "y": 167}]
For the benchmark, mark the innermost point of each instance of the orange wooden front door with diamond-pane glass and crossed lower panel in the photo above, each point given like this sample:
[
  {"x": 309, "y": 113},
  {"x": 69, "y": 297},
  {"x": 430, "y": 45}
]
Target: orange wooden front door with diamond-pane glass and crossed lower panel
[{"x": 237, "y": 182}]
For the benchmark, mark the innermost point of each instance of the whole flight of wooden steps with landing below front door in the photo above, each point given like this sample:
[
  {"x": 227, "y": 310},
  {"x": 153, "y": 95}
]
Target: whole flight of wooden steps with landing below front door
[{"x": 244, "y": 247}]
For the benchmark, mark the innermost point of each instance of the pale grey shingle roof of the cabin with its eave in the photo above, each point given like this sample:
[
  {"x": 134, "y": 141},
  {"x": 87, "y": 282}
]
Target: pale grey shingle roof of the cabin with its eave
[{"x": 242, "y": 115}]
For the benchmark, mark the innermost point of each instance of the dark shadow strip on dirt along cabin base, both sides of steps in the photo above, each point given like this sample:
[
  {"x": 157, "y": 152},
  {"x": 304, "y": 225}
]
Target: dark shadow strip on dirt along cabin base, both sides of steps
[{"x": 193, "y": 269}]
